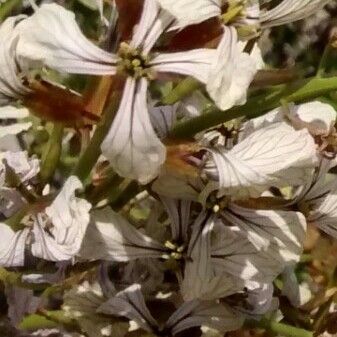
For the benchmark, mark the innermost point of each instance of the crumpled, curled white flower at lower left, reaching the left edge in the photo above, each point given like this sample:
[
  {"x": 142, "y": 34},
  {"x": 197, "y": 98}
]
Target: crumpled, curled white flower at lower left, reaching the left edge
[{"x": 56, "y": 234}]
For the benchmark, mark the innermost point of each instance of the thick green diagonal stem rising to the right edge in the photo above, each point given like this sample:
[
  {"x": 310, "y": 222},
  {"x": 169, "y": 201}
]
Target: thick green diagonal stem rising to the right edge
[{"x": 299, "y": 92}]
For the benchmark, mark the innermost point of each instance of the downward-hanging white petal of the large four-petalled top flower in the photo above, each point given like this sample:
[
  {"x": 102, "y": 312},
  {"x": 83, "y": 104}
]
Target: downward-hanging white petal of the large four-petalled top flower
[{"x": 131, "y": 146}]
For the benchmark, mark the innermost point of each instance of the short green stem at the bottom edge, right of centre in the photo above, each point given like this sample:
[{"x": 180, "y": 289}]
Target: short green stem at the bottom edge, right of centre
[{"x": 279, "y": 328}]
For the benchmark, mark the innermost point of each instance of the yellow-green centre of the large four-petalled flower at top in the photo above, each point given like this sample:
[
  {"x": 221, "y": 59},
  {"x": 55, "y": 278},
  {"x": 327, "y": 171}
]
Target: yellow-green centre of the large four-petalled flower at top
[{"x": 133, "y": 62}]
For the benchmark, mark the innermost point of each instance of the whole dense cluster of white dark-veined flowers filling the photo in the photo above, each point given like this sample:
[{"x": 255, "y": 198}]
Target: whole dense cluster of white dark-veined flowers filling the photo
[{"x": 134, "y": 227}]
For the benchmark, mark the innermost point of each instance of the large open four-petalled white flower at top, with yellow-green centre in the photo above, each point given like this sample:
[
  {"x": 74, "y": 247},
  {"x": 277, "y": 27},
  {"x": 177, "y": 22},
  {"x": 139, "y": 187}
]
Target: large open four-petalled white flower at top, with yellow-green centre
[{"x": 52, "y": 36}]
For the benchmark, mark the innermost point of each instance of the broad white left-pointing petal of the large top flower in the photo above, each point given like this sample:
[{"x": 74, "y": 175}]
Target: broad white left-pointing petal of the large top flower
[{"x": 52, "y": 36}]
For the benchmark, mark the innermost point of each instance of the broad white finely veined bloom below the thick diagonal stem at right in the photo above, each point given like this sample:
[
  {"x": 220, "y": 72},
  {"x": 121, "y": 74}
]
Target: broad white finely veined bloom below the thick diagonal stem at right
[{"x": 275, "y": 155}]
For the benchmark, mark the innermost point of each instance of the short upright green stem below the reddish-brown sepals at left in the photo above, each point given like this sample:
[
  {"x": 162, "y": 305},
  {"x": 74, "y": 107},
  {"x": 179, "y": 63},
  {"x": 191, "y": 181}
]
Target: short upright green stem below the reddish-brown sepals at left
[{"x": 52, "y": 153}]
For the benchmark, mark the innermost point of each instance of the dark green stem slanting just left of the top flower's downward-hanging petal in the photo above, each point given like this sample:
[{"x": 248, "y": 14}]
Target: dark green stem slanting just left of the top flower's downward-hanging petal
[{"x": 93, "y": 151}]
